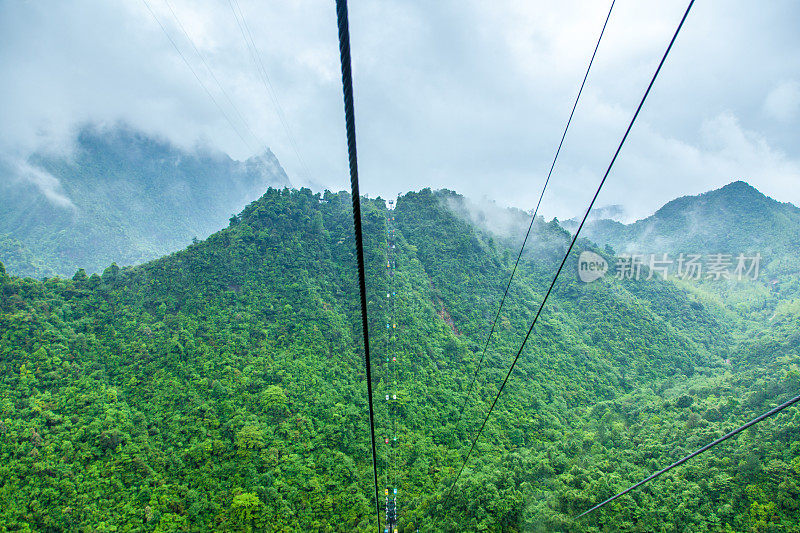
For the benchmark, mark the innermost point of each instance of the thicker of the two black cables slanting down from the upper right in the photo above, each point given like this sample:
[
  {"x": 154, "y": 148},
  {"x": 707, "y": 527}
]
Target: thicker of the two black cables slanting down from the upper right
[{"x": 572, "y": 244}]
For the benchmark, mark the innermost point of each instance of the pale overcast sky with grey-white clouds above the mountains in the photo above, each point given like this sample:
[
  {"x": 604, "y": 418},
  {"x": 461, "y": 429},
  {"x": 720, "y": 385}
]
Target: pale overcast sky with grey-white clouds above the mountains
[{"x": 466, "y": 95}]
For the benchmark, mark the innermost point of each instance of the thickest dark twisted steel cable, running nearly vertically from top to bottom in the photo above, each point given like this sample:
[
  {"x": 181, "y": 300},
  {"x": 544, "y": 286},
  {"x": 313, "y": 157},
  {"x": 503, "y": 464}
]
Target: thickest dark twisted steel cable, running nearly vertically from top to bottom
[{"x": 350, "y": 125}]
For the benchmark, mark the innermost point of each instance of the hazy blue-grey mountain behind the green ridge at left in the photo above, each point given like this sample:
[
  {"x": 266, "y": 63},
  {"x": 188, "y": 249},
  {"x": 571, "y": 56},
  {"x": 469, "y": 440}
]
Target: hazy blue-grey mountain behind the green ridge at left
[{"x": 120, "y": 196}]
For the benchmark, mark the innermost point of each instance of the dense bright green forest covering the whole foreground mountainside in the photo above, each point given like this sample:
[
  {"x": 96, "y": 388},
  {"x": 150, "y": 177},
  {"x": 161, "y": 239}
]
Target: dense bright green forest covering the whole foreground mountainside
[{"x": 222, "y": 388}]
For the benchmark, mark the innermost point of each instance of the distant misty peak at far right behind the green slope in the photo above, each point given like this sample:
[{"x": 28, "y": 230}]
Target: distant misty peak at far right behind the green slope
[{"x": 735, "y": 219}]
